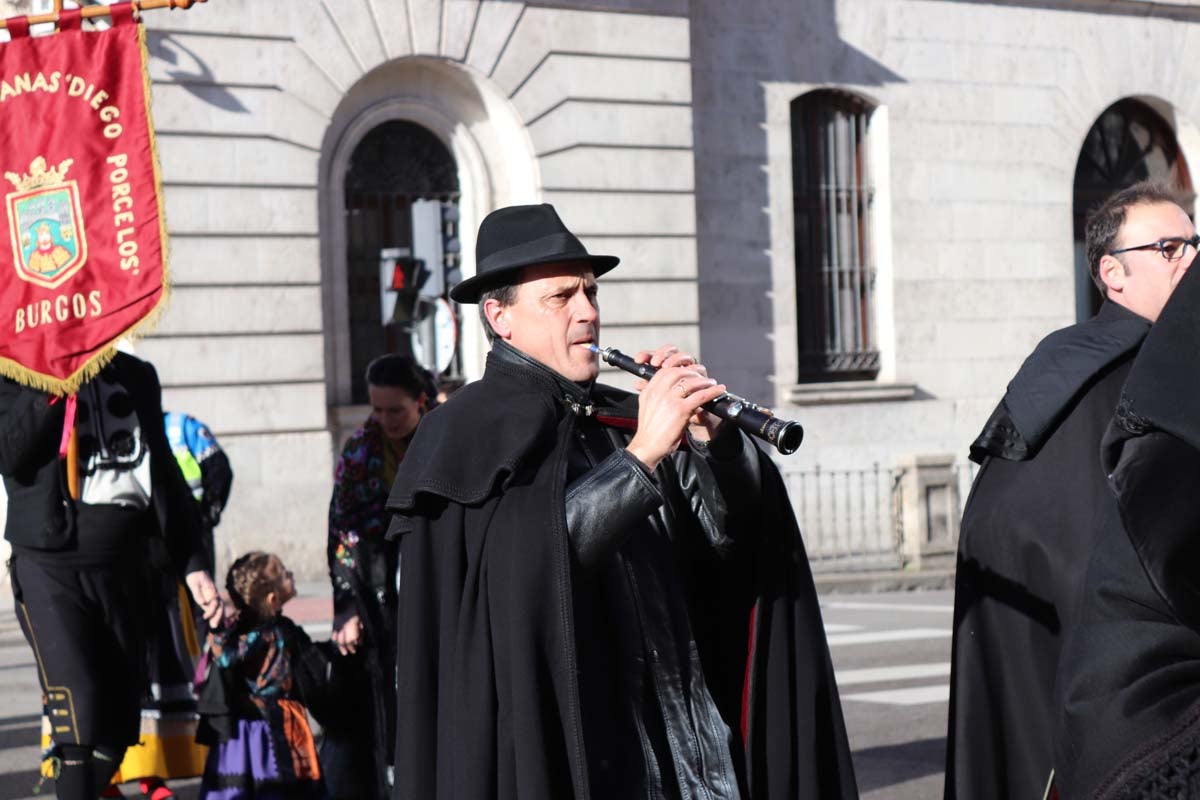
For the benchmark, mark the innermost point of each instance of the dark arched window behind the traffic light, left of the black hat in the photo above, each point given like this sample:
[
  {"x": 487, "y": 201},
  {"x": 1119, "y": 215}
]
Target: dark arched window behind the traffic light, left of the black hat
[{"x": 401, "y": 209}]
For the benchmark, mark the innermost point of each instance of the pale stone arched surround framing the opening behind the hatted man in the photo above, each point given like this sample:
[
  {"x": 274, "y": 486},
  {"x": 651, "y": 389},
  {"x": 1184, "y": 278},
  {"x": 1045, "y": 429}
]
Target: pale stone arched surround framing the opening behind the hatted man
[{"x": 460, "y": 122}]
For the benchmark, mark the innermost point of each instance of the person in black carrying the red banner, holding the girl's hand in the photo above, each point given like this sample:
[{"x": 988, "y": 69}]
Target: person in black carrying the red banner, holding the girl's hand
[{"x": 80, "y": 558}]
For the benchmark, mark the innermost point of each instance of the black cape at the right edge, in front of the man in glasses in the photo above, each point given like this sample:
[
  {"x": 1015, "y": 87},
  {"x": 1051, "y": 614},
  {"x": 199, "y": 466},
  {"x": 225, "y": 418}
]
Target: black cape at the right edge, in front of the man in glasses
[{"x": 1130, "y": 679}]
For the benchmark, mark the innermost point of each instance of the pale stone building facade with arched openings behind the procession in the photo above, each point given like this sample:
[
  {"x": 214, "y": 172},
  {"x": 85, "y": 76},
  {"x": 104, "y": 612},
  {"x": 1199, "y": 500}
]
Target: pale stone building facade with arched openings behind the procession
[{"x": 860, "y": 212}]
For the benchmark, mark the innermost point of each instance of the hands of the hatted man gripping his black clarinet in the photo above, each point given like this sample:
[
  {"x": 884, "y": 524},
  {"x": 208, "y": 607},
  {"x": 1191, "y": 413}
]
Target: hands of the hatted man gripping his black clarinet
[{"x": 671, "y": 402}]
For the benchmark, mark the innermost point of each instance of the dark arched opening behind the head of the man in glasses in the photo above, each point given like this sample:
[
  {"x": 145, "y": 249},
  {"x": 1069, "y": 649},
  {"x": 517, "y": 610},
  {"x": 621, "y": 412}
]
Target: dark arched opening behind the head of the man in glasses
[{"x": 1130, "y": 142}]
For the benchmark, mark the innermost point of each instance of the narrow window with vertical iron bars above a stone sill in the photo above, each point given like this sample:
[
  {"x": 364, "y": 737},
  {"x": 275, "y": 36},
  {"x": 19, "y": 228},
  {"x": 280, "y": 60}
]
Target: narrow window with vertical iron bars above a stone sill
[{"x": 832, "y": 203}]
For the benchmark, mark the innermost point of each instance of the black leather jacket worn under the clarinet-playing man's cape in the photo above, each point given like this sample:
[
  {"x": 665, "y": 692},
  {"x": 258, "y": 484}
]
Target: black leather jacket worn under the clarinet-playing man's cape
[{"x": 651, "y": 726}]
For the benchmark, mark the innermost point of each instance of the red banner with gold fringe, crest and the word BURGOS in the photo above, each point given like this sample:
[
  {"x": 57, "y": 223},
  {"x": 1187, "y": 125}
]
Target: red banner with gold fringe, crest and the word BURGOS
[{"x": 85, "y": 258}]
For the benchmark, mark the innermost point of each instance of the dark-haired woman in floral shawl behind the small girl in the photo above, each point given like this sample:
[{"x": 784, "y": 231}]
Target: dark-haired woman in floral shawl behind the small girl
[{"x": 363, "y": 569}]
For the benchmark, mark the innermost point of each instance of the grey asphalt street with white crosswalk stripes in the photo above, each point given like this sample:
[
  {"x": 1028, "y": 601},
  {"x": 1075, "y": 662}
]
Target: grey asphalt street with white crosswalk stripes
[{"x": 891, "y": 653}]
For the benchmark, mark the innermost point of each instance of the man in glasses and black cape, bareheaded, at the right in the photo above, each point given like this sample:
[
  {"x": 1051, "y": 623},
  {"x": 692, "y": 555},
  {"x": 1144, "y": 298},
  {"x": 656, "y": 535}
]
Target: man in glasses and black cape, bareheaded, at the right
[{"x": 1030, "y": 524}]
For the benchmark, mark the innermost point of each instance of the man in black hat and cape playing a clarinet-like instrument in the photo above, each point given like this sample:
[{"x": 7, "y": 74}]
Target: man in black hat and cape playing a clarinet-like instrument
[{"x": 603, "y": 594}]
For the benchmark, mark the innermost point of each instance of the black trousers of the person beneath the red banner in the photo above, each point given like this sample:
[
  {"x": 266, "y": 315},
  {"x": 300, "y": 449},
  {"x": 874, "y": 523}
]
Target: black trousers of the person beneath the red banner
[{"x": 86, "y": 629}]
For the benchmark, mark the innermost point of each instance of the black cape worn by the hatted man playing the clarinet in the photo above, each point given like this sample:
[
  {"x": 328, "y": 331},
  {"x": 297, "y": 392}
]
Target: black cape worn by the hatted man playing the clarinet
[{"x": 487, "y": 693}]
